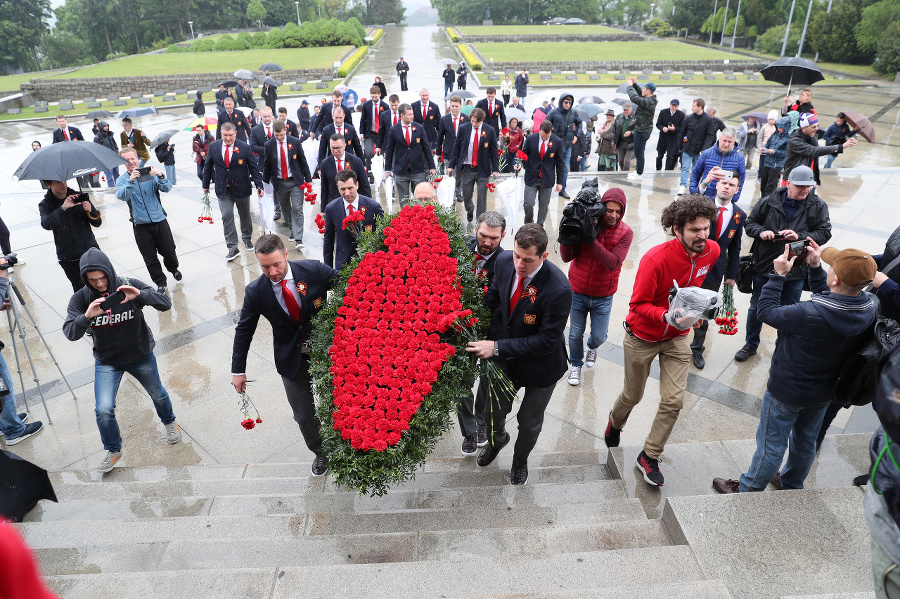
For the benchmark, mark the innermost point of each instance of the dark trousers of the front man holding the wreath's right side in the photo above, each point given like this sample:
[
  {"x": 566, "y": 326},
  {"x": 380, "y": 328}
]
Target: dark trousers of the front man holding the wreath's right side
[{"x": 530, "y": 417}]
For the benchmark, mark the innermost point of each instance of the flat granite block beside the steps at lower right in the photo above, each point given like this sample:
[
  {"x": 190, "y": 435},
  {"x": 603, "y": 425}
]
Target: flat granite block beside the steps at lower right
[{"x": 818, "y": 535}]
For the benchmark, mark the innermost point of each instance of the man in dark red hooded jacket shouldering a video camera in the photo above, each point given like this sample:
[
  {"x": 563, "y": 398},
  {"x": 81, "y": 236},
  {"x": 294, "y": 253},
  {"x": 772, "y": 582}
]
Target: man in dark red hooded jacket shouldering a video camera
[{"x": 594, "y": 276}]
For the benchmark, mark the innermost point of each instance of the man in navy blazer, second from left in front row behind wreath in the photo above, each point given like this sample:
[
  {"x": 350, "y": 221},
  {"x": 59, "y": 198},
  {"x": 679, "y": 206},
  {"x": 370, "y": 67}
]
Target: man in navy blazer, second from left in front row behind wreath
[{"x": 286, "y": 151}]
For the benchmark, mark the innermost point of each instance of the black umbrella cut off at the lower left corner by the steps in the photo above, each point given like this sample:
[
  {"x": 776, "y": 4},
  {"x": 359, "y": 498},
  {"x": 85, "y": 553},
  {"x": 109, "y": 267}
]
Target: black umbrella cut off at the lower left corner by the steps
[{"x": 22, "y": 484}]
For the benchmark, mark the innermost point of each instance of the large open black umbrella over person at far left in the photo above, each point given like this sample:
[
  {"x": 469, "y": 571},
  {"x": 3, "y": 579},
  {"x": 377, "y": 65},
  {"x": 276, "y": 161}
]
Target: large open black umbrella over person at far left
[{"x": 61, "y": 162}]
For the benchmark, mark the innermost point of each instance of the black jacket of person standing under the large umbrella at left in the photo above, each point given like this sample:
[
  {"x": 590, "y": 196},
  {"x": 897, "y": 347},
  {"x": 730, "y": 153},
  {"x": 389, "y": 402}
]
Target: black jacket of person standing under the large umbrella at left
[{"x": 71, "y": 228}]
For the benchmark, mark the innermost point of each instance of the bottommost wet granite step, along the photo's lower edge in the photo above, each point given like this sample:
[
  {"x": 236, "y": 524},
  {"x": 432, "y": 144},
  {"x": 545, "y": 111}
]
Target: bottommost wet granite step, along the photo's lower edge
[{"x": 620, "y": 571}]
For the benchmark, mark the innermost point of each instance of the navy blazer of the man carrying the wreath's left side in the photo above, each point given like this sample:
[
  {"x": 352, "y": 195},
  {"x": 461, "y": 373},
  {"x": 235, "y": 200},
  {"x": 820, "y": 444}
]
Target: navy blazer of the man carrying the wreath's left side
[{"x": 313, "y": 280}]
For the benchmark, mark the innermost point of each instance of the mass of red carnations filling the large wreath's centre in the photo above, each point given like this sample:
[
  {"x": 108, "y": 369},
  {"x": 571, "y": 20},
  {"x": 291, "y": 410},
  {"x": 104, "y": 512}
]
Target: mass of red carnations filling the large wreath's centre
[{"x": 386, "y": 352}]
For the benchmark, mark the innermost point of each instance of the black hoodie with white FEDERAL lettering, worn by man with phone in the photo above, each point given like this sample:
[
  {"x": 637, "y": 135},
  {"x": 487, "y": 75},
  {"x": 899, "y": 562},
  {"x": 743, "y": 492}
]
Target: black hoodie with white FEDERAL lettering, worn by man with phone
[{"x": 121, "y": 335}]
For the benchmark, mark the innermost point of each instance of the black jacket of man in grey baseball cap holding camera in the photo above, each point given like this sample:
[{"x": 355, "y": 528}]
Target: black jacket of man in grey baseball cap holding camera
[{"x": 811, "y": 219}]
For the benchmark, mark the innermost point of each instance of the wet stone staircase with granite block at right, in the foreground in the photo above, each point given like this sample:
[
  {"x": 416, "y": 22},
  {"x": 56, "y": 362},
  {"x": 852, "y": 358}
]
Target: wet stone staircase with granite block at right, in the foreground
[{"x": 575, "y": 530}]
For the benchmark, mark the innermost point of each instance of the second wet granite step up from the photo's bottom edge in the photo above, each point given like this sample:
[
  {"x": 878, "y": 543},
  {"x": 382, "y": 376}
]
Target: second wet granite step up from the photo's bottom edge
[{"x": 461, "y": 546}]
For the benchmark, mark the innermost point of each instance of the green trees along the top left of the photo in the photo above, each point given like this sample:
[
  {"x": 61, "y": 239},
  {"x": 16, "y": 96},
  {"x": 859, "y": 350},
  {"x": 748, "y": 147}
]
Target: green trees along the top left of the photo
[{"x": 88, "y": 31}]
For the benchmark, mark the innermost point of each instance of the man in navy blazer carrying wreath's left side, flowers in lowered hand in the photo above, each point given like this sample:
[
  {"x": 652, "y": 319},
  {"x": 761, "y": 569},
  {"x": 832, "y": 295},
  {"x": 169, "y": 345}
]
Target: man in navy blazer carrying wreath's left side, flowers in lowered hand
[{"x": 288, "y": 295}]
